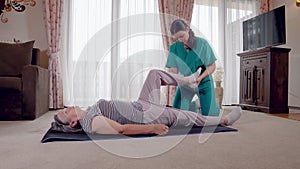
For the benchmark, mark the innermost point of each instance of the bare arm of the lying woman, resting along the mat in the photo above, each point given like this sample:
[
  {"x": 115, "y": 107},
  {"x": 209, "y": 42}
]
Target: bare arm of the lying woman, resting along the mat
[{"x": 103, "y": 125}]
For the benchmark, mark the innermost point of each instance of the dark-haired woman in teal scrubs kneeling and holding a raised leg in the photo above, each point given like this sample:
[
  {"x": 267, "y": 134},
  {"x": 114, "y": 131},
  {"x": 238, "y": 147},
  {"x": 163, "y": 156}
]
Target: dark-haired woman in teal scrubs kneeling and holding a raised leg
[{"x": 187, "y": 56}]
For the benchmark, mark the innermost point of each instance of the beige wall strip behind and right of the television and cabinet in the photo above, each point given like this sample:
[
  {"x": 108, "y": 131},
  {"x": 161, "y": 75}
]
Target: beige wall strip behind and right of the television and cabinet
[{"x": 293, "y": 40}]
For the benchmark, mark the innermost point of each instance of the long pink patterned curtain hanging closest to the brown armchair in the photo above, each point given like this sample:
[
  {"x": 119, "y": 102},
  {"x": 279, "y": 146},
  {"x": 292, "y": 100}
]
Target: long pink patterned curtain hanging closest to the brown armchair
[{"x": 53, "y": 10}]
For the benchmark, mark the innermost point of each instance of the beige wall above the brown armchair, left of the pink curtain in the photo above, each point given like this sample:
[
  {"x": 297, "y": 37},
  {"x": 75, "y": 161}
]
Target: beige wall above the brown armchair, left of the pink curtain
[{"x": 25, "y": 26}]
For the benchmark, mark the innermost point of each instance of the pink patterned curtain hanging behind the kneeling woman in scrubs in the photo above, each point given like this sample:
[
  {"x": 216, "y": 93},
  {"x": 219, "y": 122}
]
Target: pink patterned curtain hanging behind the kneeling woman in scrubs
[{"x": 169, "y": 11}]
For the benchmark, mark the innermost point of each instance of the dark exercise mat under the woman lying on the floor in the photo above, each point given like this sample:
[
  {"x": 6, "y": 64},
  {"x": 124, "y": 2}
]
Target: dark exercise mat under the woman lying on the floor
[{"x": 52, "y": 135}]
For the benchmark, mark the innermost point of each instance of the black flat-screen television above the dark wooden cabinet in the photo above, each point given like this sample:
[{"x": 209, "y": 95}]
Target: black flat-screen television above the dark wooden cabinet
[{"x": 265, "y": 30}]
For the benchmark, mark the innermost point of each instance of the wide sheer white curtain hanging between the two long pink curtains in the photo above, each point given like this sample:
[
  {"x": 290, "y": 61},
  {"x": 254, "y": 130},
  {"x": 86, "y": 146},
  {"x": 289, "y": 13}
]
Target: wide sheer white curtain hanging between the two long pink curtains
[{"x": 110, "y": 46}]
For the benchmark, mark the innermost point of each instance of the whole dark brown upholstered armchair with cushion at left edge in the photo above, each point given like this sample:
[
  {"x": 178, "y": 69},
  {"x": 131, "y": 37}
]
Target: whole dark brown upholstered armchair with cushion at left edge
[{"x": 24, "y": 85}]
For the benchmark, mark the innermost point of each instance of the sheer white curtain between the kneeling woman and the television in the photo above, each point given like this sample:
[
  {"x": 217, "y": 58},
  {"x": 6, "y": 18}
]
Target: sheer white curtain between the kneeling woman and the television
[{"x": 220, "y": 22}]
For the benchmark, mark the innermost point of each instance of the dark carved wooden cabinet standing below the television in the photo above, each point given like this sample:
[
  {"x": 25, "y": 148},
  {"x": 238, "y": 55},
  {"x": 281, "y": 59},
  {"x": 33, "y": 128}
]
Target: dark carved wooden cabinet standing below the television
[{"x": 264, "y": 80}]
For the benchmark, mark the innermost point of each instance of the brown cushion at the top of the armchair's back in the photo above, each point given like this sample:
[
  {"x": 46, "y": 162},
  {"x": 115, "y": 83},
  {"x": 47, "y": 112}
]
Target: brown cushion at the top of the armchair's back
[{"x": 14, "y": 56}]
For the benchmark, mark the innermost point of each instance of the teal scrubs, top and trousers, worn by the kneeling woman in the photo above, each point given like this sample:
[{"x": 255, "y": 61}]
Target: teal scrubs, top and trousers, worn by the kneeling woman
[{"x": 187, "y": 63}]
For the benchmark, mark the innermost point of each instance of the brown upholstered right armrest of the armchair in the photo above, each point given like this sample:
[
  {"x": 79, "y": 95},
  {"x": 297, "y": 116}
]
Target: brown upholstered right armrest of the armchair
[{"x": 36, "y": 84}]
